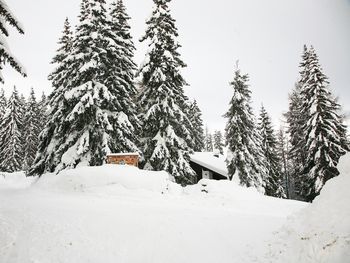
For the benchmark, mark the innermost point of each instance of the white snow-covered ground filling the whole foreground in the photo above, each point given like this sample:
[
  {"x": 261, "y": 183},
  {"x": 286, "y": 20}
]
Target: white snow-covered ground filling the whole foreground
[{"x": 121, "y": 214}]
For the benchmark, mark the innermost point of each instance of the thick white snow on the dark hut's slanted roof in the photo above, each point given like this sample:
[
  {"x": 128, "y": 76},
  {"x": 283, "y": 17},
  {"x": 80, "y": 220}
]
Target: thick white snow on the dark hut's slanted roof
[{"x": 210, "y": 161}]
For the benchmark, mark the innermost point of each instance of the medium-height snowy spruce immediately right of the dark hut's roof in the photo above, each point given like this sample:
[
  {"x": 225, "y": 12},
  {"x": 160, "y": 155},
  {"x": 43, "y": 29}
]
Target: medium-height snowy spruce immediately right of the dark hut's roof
[{"x": 245, "y": 158}]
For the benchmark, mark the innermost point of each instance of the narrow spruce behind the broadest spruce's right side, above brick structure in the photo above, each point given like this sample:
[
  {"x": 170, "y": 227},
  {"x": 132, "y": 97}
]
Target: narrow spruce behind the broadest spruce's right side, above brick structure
[{"x": 120, "y": 81}]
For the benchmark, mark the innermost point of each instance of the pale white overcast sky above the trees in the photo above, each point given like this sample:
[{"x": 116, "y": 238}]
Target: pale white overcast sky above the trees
[{"x": 266, "y": 36}]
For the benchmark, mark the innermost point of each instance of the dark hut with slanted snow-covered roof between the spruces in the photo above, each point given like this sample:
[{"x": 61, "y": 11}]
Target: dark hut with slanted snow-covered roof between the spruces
[{"x": 209, "y": 165}]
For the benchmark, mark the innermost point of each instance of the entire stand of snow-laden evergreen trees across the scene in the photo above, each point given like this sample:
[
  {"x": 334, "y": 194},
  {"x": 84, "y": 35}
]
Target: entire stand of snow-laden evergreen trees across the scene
[{"x": 102, "y": 102}]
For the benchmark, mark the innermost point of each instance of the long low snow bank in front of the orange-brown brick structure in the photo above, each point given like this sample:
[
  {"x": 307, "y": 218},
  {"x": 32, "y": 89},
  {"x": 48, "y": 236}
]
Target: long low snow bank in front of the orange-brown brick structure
[{"x": 107, "y": 176}]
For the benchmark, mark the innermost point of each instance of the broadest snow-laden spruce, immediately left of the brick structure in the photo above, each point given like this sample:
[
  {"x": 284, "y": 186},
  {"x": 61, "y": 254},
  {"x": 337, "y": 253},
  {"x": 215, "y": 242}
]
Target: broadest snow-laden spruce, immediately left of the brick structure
[{"x": 85, "y": 121}]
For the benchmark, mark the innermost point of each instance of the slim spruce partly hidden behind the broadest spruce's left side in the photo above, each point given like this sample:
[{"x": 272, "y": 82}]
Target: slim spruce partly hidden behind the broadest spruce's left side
[{"x": 52, "y": 136}]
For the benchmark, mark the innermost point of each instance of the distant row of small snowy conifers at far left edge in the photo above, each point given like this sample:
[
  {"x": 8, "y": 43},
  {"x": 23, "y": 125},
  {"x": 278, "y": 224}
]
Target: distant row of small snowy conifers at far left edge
[{"x": 21, "y": 121}]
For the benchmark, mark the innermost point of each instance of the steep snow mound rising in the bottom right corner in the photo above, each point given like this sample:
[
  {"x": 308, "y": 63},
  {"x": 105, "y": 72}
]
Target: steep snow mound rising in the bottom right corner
[{"x": 321, "y": 232}]
